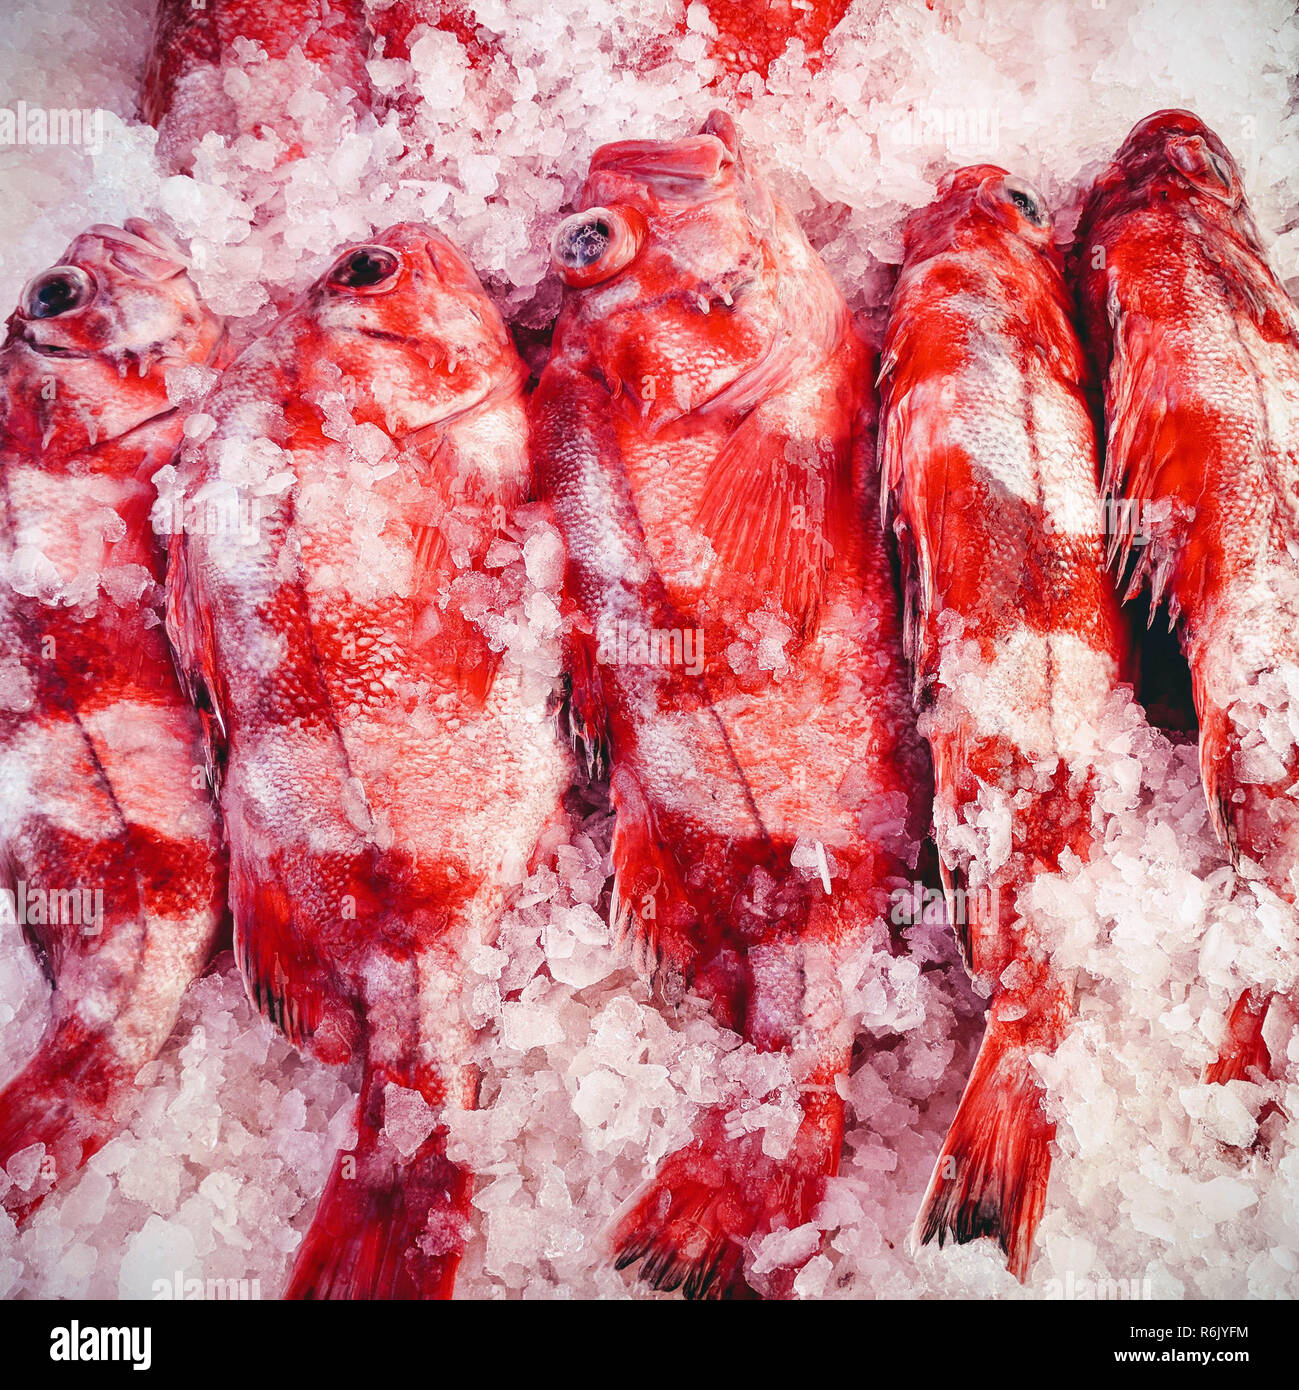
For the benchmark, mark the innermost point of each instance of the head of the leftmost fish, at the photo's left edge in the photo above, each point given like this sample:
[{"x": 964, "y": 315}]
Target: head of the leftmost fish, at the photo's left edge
[{"x": 92, "y": 340}]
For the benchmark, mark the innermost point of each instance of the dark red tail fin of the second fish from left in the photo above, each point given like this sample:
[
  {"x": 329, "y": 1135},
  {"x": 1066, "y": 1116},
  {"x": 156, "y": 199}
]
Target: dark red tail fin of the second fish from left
[{"x": 387, "y": 1227}]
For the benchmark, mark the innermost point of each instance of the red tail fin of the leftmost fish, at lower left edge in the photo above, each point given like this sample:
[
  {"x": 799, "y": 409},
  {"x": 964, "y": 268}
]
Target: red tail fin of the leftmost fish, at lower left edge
[{"x": 67, "y": 1099}]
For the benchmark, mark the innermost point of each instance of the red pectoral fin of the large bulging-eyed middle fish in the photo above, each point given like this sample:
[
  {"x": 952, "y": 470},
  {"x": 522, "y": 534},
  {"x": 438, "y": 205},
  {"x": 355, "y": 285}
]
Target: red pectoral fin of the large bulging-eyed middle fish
[{"x": 777, "y": 505}]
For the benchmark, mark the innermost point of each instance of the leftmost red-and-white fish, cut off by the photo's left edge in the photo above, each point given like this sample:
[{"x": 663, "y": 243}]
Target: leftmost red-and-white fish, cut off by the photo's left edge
[{"x": 102, "y": 764}]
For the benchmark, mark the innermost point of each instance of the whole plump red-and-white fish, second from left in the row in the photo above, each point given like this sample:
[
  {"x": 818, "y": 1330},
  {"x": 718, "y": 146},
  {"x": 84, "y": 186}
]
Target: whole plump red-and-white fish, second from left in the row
[{"x": 381, "y": 769}]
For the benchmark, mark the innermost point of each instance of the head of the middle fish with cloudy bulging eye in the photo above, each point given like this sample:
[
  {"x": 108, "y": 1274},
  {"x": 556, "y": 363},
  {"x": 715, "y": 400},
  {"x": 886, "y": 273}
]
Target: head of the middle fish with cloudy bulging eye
[{"x": 675, "y": 270}]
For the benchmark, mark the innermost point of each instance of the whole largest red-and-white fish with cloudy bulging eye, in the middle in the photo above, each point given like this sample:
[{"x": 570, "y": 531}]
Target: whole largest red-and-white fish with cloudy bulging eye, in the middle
[{"x": 709, "y": 465}]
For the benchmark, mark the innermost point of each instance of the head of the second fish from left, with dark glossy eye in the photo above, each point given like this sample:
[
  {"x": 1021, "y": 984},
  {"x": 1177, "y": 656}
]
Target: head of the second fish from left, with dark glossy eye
[{"x": 409, "y": 322}]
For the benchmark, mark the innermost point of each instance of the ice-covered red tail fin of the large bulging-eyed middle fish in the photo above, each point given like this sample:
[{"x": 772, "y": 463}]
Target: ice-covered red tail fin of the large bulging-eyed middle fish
[{"x": 694, "y": 1224}]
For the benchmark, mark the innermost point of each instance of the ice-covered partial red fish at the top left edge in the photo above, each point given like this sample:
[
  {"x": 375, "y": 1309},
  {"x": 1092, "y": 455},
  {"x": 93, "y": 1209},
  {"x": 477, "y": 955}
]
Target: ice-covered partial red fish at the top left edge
[{"x": 185, "y": 92}]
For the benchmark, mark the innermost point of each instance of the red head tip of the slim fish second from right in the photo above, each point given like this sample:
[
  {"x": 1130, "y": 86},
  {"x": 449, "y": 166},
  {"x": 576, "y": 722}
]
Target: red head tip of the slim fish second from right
[{"x": 976, "y": 206}]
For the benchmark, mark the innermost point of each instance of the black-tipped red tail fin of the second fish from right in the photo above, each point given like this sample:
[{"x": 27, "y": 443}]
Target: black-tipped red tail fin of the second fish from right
[{"x": 991, "y": 1175}]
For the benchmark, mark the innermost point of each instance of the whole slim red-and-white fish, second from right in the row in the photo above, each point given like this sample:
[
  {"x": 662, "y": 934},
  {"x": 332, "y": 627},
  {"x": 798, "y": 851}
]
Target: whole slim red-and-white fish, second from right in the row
[{"x": 990, "y": 454}]
